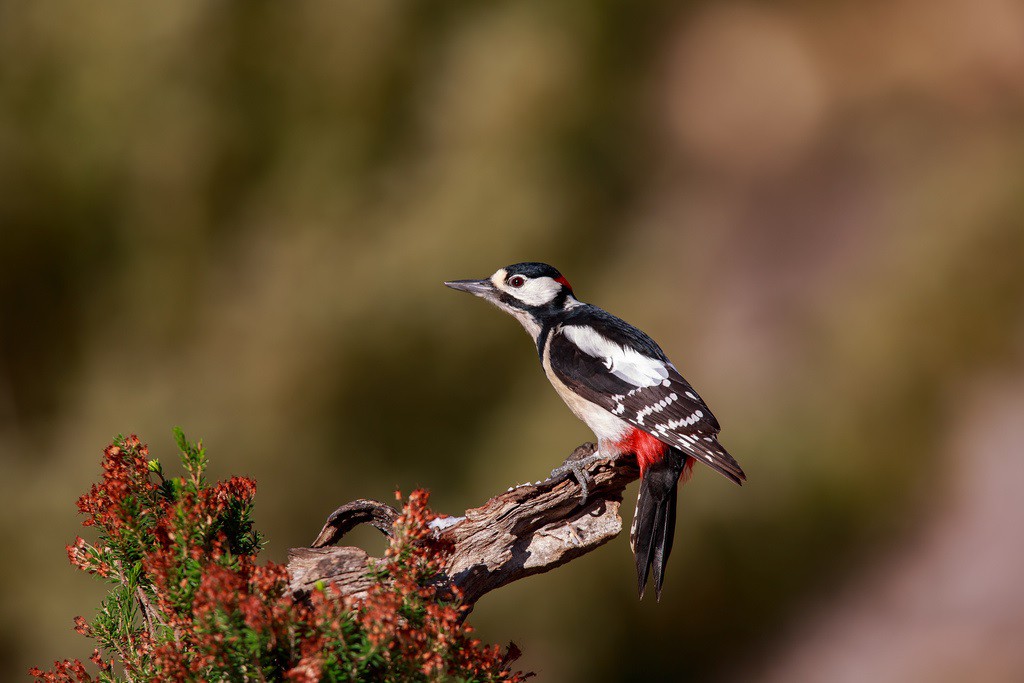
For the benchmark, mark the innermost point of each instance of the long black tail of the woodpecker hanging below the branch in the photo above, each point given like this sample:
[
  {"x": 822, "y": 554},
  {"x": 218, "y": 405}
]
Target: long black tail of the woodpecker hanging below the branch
[{"x": 655, "y": 521}]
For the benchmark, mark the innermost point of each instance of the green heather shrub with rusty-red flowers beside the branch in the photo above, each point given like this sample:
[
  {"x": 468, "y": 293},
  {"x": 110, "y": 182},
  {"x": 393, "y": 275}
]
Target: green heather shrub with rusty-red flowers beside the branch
[{"x": 188, "y": 601}]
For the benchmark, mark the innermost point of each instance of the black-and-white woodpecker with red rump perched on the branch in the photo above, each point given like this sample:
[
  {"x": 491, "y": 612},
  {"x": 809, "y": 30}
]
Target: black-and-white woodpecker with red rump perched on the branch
[{"x": 620, "y": 382}]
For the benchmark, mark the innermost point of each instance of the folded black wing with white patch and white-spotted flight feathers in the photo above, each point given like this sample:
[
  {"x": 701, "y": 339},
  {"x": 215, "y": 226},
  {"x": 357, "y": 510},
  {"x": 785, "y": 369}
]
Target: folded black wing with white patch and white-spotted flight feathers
[{"x": 654, "y": 398}]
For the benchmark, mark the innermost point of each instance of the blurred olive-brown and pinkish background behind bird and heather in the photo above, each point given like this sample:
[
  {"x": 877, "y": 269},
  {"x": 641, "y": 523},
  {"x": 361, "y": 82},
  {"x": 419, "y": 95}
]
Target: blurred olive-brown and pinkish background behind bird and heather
[{"x": 236, "y": 218}]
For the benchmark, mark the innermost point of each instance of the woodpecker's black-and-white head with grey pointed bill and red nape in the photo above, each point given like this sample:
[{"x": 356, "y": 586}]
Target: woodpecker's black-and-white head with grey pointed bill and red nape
[{"x": 529, "y": 292}]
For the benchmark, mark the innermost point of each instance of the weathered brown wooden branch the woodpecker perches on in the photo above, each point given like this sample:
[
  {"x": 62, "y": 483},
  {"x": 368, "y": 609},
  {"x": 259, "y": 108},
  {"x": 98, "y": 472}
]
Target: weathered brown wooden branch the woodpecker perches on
[{"x": 530, "y": 530}]
